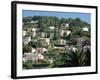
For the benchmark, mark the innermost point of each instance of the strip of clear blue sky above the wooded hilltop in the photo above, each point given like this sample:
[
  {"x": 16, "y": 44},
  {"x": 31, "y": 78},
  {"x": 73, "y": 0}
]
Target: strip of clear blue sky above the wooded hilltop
[{"x": 83, "y": 16}]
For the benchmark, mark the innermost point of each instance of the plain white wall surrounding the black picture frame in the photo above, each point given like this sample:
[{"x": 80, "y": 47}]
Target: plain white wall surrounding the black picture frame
[{"x": 5, "y": 38}]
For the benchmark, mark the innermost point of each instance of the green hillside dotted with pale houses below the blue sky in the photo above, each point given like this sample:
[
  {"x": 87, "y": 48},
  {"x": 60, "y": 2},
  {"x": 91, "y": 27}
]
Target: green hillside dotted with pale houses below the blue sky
[{"x": 51, "y": 42}]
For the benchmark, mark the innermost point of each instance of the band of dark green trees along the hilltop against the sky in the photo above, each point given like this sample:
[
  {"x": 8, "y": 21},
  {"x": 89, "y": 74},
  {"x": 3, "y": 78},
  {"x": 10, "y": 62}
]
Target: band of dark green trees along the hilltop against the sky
[{"x": 45, "y": 21}]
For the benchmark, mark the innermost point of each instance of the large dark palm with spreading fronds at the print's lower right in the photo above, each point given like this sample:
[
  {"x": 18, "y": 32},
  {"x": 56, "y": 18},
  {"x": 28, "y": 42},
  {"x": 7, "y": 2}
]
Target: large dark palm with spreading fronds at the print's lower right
[{"x": 78, "y": 58}]
